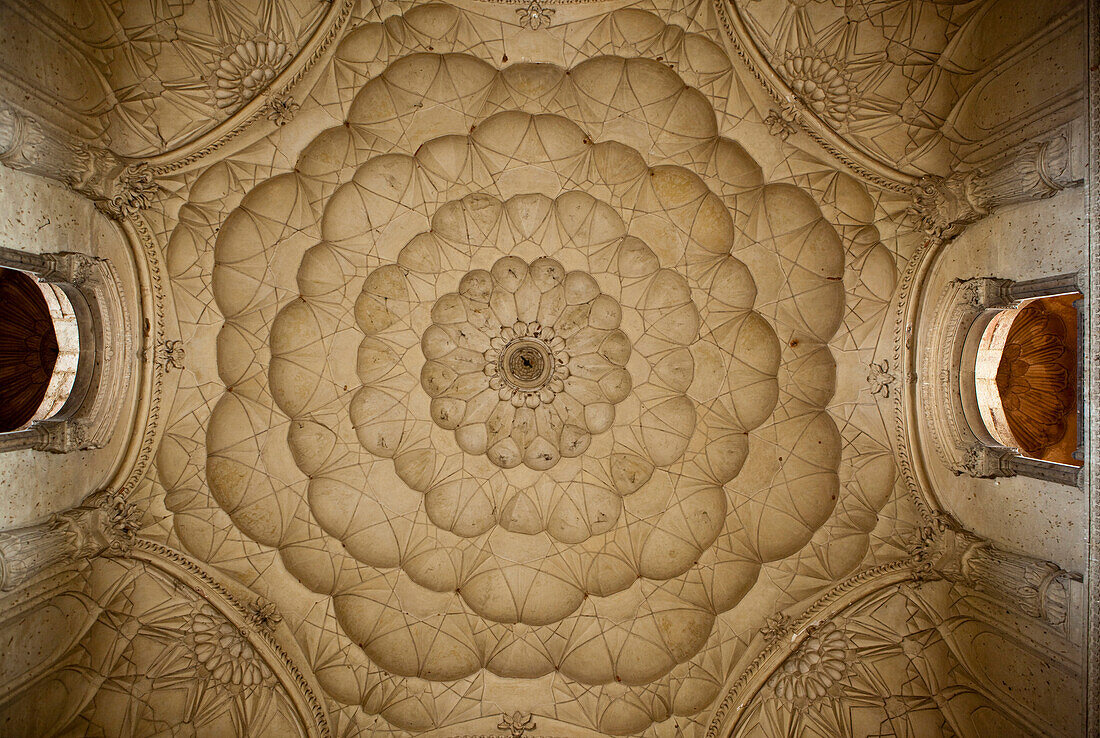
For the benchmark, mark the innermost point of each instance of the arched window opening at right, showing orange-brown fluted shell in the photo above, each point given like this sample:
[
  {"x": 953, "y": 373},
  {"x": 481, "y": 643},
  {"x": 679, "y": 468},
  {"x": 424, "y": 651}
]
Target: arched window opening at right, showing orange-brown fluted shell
[{"x": 1026, "y": 376}]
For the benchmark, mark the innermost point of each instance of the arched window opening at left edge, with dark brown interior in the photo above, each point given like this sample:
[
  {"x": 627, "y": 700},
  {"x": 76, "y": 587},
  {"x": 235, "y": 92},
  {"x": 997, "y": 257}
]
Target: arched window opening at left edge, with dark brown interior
[{"x": 40, "y": 350}]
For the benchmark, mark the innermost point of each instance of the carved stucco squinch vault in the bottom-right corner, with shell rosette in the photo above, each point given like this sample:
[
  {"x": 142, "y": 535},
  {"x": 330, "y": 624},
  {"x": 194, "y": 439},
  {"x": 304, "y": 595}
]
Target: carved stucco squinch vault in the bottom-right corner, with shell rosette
[{"x": 917, "y": 660}]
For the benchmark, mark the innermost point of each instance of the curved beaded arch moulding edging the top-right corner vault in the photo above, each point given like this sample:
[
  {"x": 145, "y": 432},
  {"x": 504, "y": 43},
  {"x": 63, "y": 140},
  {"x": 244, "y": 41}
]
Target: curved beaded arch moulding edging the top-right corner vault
[{"x": 860, "y": 162}]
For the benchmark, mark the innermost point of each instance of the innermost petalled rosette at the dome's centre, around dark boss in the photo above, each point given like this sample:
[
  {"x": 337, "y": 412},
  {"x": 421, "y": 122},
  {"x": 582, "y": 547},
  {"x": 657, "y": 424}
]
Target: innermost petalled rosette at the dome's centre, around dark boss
[{"x": 526, "y": 362}]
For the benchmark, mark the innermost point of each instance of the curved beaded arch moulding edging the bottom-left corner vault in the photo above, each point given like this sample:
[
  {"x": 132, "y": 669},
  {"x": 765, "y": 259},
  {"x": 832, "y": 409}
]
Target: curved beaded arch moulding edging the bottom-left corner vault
[{"x": 189, "y": 572}]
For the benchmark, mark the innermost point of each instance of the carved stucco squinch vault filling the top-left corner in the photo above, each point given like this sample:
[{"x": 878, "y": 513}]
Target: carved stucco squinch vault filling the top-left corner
[{"x": 147, "y": 76}]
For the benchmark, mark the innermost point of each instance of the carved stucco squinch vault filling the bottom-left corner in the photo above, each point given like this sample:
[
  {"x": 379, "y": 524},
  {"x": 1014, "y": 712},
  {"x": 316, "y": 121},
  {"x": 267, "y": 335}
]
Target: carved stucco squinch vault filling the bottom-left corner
[{"x": 126, "y": 651}]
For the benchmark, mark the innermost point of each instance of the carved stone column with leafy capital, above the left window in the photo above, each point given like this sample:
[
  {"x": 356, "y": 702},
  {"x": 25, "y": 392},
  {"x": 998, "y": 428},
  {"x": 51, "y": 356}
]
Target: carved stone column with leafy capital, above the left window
[{"x": 119, "y": 188}]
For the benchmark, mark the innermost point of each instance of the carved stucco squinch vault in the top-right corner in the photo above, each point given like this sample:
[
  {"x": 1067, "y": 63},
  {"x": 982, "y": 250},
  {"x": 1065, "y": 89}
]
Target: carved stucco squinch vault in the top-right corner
[{"x": 895, "y": 79}]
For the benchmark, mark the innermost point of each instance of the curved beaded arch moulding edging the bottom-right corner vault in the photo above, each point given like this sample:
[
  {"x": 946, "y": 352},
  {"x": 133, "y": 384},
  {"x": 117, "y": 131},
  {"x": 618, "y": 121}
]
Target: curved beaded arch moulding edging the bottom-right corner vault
[{"x": 772, "y": 656}]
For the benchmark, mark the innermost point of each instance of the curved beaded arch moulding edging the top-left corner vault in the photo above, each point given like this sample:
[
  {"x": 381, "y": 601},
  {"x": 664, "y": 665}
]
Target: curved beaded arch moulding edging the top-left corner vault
[{"x": 233, "y": 127}]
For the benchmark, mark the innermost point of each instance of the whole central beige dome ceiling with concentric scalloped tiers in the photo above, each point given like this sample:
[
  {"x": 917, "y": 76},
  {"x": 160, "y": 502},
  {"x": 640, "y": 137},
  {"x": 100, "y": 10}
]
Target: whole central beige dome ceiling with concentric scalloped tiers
[{"x": 518, "y": 384}]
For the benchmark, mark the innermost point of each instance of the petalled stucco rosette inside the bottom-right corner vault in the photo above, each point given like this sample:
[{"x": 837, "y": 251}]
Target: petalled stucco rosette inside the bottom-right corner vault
[{"x": 813, "y": 669}]
